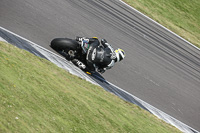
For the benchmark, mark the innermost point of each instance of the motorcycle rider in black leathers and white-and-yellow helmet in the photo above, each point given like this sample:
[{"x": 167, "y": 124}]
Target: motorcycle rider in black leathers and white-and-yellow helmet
[{"x": 99, "y": 56}]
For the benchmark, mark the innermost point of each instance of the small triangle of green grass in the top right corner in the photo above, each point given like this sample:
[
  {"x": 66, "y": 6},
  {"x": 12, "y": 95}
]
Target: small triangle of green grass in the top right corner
[{"x": 180, "y": 16}]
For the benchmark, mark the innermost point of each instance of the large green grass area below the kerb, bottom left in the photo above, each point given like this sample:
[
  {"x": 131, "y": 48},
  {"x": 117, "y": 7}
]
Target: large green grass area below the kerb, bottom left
[{"x": 37, "y": 96}]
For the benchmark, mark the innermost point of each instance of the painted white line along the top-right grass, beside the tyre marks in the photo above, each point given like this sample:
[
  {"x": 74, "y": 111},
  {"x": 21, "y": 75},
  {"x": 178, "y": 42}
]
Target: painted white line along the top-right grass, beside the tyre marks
[{"x": 160, "y": 25}]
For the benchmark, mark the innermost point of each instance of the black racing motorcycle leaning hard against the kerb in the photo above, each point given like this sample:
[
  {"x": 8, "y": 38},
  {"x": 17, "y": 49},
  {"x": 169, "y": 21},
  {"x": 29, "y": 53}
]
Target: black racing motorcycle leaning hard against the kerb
[{"x": 72, "y": 50}]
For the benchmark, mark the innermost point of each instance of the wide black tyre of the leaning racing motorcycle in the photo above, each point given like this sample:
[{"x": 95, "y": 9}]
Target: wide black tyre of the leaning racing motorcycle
[{"x": 64, "y": 43}]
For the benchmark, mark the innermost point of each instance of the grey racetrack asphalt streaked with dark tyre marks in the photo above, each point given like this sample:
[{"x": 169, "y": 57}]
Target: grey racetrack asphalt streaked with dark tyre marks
[{"x": 159, "y": 68}]
